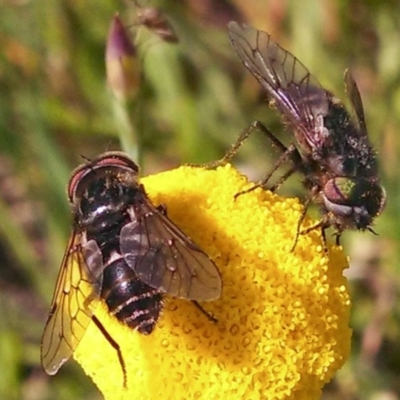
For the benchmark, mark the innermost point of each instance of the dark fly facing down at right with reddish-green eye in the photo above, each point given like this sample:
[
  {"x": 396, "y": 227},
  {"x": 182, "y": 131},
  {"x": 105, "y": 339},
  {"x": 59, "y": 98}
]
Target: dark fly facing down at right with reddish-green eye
[{"x": 331, "y": 147}]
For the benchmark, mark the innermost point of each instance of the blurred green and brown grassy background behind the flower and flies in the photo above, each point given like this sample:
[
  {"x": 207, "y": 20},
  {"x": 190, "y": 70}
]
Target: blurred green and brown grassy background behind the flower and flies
[{"x": 194, "y": 99}]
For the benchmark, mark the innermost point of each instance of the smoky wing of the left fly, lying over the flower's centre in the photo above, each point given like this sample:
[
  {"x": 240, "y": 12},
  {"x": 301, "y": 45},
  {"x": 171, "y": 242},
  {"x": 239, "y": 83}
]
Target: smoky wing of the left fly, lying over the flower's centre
[{"x": 165, "y": 258}]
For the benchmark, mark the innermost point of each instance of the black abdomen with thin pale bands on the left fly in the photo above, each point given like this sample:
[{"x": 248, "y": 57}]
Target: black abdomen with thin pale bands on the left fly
[{"x": 128, "y": 298}]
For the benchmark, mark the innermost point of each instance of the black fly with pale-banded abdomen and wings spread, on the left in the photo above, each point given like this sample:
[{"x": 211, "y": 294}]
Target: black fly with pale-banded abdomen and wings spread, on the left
[{"x": 122, "y": 250}]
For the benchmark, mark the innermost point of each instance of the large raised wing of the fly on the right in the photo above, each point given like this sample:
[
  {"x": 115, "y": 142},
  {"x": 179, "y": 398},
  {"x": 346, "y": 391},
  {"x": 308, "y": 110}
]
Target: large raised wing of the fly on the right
[{"x": 297, "y": 94}]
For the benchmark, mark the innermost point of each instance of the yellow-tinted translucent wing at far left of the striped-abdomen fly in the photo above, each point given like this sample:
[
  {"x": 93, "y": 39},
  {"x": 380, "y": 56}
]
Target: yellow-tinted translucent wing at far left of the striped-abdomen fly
[{"x": 72, "y": 307}]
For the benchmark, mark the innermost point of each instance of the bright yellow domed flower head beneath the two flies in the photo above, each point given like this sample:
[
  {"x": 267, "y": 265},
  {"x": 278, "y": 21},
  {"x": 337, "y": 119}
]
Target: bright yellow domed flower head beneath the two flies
[{"x": 283, "y": 316}]
